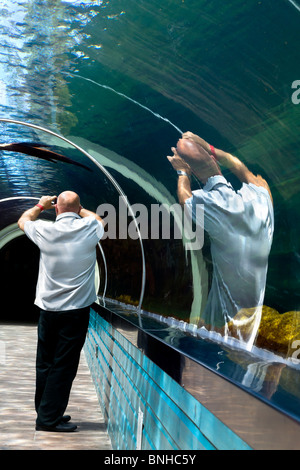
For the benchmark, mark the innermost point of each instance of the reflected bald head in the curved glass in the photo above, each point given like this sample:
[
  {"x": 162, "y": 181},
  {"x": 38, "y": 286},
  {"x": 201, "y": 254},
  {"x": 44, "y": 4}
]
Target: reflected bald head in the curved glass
[{"x": 202, "y": 164}]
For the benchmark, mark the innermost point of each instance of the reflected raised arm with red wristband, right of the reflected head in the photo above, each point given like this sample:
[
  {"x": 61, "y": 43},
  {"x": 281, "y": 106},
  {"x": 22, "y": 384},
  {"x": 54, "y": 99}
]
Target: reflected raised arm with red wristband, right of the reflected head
[{"x": 230, "y": 162}]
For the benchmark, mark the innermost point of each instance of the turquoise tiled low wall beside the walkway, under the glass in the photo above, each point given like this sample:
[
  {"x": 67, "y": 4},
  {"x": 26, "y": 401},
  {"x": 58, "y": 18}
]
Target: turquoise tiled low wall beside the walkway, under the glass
[{"x": 128, "y": 382}]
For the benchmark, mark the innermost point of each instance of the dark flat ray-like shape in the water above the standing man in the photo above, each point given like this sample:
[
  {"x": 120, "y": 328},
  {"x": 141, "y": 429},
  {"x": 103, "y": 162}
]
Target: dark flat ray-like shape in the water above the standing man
[{"x": 38, "y": 150}]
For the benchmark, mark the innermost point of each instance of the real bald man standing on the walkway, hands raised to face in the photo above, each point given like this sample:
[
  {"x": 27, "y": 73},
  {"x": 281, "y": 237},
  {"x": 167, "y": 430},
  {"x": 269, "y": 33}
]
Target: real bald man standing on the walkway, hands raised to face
[{"x": 65, "y": 290}]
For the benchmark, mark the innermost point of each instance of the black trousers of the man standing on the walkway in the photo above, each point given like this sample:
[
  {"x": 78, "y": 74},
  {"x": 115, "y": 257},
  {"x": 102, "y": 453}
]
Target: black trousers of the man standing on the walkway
[{"x": 61, "y": 336}]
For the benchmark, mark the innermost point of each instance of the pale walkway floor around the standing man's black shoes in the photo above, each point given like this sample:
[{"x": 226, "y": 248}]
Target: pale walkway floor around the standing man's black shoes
[{"x": 17, "y": 414}]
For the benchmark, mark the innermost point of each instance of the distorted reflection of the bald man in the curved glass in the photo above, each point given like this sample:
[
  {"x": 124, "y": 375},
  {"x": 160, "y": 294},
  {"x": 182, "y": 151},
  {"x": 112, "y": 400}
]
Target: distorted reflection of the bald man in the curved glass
[{"x": 239, "y": 224}]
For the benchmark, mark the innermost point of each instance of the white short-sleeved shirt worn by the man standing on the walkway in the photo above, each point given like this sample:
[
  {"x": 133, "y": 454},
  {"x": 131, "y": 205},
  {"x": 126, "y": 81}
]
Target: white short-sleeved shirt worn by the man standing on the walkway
[{"x": 66, "y": 279}]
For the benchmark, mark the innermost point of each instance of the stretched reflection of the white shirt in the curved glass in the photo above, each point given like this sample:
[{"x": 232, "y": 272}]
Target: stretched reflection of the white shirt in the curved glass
[{"x": 240, "y": 226}]
